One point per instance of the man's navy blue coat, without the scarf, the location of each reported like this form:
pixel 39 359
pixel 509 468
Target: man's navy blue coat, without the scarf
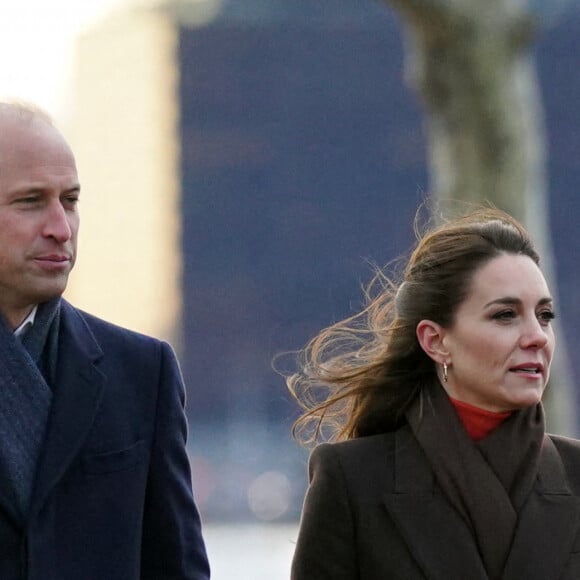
pixel 112 498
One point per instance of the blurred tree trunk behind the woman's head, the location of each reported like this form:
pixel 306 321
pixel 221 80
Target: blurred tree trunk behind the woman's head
pixel 469 61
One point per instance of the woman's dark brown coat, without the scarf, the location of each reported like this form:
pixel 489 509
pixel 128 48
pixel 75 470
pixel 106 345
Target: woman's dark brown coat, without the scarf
pixel 373 511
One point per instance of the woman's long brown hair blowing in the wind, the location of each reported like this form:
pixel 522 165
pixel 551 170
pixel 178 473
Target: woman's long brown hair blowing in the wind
pixel 359 376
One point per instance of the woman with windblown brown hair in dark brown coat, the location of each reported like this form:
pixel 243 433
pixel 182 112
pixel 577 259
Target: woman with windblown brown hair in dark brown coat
pixel 440 468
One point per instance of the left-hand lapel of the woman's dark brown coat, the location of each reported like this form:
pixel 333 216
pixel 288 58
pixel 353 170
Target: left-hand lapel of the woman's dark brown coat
pixel 437 536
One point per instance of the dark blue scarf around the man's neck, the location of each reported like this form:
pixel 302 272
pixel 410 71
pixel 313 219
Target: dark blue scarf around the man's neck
pixel 27 368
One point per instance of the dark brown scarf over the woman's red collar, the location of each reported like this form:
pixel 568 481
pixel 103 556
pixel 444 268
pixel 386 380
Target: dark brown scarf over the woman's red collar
pixel 486 482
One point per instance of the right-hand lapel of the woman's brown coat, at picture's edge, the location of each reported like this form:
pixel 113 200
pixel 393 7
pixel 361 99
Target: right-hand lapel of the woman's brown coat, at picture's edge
pixel 548 523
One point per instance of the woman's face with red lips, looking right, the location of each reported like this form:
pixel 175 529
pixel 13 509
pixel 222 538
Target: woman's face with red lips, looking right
pixel 501 343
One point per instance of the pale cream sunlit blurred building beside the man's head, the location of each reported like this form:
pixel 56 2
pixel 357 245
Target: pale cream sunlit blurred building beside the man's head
pixel 125 133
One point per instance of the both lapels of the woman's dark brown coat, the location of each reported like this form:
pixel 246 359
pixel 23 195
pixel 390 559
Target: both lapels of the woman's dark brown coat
pixel 441 541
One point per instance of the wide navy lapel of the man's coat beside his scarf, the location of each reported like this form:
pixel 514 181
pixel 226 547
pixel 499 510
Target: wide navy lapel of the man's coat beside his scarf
pixel 78 389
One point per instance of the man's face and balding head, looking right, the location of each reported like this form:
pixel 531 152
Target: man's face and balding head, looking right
pixel 39 221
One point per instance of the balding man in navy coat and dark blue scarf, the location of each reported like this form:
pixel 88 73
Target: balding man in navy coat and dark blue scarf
pixel 94 476
